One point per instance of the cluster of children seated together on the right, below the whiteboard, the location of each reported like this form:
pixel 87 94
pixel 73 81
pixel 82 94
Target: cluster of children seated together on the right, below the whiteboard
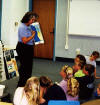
pixel 79 80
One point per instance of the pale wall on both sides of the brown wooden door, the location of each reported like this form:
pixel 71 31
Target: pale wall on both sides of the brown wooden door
pixel 12 12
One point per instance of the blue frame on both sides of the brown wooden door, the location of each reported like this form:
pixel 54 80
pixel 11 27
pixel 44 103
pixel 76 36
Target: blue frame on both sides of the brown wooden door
pixel 30 9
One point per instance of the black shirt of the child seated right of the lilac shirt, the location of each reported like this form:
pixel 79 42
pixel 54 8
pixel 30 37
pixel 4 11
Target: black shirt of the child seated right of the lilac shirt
pixel 86 86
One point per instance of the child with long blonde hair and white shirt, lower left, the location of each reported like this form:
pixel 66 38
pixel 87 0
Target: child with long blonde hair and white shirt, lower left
pixel 29 94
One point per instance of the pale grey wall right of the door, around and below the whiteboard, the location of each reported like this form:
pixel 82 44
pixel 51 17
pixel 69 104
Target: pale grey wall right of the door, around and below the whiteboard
pixel 86 44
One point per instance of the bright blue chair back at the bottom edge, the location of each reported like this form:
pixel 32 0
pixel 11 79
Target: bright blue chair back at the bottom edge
pixel 63 102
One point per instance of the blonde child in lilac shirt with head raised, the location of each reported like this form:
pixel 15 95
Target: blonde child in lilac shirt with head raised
pixel 69 84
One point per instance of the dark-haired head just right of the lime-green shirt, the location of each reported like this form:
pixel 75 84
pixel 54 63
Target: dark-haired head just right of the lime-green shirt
pixel 89 69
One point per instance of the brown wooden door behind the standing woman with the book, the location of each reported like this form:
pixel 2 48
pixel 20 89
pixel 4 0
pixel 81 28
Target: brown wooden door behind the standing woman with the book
pixel 46 11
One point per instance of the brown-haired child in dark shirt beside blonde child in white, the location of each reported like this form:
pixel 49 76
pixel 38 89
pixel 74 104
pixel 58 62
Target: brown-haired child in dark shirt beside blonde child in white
pixel 50 91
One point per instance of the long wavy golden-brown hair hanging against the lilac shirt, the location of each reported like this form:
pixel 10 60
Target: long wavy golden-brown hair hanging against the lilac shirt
pixel 72 87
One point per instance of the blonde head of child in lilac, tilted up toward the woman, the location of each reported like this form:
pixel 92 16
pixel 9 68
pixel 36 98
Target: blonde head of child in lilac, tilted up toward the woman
pixel 66 72
